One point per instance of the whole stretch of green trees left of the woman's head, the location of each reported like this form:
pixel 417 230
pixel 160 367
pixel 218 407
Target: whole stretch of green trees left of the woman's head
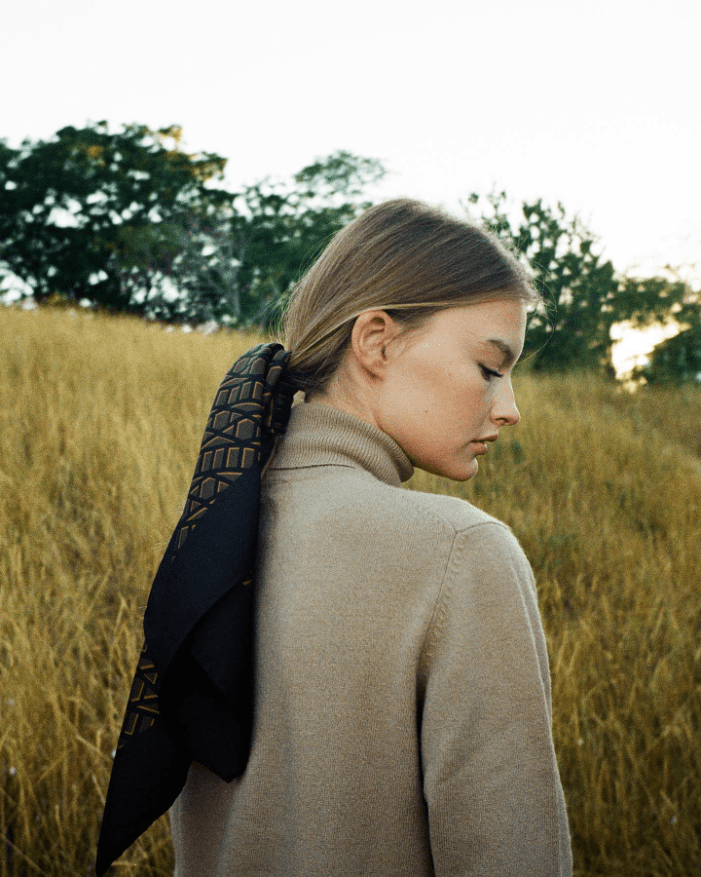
pixel 129 222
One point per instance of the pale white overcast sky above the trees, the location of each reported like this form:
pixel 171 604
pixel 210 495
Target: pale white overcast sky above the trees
pixel 594 104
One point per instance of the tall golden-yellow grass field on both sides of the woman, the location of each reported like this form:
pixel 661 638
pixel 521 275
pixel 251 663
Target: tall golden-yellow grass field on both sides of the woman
pixel 100 423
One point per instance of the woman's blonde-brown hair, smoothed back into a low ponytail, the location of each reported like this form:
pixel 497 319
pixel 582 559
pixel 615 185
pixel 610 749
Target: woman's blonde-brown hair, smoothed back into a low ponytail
pixel 403 257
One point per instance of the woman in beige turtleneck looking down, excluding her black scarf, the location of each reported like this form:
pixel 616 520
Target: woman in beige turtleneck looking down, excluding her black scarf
pixel 401 715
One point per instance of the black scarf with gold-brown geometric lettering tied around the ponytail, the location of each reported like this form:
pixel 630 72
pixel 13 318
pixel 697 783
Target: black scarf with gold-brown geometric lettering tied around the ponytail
pixel 192 694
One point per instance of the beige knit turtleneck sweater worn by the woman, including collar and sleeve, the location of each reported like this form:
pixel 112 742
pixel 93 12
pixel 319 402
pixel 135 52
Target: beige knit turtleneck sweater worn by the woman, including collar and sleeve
pixel 402 714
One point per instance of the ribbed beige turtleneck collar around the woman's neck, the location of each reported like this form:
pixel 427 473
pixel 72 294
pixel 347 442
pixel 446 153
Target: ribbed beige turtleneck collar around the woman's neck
pixel 321 435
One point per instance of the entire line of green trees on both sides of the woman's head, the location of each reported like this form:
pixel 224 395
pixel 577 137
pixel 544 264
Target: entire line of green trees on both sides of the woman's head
pixel 128 221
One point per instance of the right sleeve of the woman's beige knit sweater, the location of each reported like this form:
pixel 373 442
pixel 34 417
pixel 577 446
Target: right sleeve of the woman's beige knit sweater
pixel 491 781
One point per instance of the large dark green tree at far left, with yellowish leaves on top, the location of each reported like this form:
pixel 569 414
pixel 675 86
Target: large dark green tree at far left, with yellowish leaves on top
pixel 99 216
